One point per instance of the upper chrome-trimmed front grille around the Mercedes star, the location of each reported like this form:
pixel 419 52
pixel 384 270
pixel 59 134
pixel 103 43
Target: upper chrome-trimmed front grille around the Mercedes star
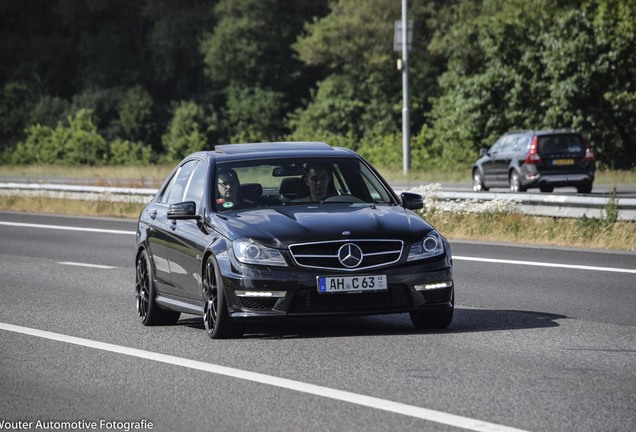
pixel 324 255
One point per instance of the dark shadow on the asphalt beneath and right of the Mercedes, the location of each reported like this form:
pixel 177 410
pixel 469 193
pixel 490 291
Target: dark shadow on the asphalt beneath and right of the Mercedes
pixel 464 321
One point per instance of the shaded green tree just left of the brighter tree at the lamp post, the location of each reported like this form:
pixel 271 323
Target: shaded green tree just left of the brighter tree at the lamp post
pixel 248 57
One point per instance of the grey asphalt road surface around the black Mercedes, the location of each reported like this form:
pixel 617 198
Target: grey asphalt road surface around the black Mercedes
pixel 543 340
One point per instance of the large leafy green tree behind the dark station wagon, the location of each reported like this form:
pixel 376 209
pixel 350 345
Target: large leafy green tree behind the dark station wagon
pixel 519 65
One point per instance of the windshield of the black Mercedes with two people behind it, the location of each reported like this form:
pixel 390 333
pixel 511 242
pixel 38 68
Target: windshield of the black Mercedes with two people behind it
pixel 268 183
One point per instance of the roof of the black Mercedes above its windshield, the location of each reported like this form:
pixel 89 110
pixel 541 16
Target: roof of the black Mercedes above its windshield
pixel 273 150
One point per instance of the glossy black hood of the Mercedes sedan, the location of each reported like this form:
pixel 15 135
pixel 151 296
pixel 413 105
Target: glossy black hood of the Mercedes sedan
pixel 281 226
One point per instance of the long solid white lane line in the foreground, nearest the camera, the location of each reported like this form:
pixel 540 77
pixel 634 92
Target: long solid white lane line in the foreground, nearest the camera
pixel 367 401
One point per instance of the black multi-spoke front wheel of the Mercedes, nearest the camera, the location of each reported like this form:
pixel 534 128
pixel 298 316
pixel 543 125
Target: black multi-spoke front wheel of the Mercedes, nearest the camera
pixel 217 322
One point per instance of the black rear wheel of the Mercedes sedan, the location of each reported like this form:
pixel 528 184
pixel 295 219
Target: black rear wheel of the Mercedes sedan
pixel 148 312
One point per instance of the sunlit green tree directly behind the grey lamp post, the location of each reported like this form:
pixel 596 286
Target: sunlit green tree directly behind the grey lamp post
pixel 361 94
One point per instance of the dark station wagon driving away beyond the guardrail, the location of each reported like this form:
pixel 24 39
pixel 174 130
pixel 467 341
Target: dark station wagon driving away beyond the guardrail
pixel 536 159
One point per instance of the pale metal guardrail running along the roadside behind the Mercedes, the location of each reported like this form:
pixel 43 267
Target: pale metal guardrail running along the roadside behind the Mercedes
pixel 569 206
